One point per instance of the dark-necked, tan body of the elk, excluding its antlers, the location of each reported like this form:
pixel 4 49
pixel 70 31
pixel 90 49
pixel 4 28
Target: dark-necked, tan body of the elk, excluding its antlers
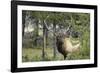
pixel 64 45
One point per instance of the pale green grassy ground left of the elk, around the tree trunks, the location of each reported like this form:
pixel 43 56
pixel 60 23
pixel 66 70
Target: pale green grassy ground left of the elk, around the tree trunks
pixel 36 55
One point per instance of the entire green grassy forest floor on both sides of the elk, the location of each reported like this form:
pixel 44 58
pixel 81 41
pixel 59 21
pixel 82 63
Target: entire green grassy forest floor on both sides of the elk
pixel 35 55
